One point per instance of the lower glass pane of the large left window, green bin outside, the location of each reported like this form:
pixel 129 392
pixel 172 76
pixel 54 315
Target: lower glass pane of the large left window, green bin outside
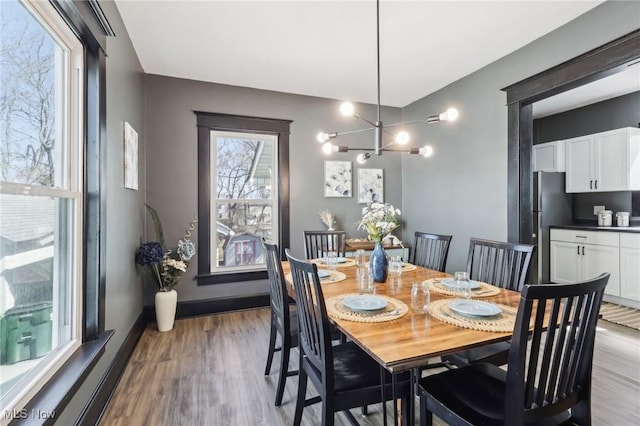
pixel 36 276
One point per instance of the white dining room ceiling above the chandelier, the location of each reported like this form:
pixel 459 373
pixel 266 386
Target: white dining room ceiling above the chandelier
pixel 328 48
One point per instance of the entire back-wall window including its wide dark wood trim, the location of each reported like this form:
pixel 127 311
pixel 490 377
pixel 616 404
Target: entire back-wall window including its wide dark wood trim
pixel 243 194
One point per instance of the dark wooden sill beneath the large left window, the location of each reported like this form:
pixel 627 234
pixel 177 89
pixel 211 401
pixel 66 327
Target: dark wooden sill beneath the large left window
pixel 57 393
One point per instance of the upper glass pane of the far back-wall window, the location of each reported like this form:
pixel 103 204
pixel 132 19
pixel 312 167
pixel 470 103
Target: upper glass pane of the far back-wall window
pixel 244 168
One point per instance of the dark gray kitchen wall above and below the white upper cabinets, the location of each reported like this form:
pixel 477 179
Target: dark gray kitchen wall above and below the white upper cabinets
pixel 615 113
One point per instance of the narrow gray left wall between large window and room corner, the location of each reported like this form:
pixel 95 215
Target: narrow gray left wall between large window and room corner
pixel 125 102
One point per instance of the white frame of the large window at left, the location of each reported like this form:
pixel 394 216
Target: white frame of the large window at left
pixel 68 185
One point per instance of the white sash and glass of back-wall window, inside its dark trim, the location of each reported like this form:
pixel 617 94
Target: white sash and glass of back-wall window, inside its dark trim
pixel 244 199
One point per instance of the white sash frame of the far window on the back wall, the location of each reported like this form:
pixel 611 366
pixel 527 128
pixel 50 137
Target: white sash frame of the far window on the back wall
pixel 274 202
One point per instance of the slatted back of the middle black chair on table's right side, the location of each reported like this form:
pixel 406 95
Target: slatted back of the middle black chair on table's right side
pixel 499 263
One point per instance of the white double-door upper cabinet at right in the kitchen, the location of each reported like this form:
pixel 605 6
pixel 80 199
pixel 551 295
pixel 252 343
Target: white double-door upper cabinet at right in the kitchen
pixel 606 161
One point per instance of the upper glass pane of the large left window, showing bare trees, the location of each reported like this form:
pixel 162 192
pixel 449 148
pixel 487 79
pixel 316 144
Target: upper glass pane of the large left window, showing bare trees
pixel 30 93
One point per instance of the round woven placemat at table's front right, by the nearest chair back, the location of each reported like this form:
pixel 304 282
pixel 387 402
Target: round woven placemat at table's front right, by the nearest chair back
pixel 501 323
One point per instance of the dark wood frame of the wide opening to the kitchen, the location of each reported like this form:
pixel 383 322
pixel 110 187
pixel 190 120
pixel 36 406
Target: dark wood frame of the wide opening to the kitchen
pixel 605 60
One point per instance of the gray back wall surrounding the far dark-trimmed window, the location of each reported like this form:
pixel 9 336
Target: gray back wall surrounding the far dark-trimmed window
pixel 172 161
